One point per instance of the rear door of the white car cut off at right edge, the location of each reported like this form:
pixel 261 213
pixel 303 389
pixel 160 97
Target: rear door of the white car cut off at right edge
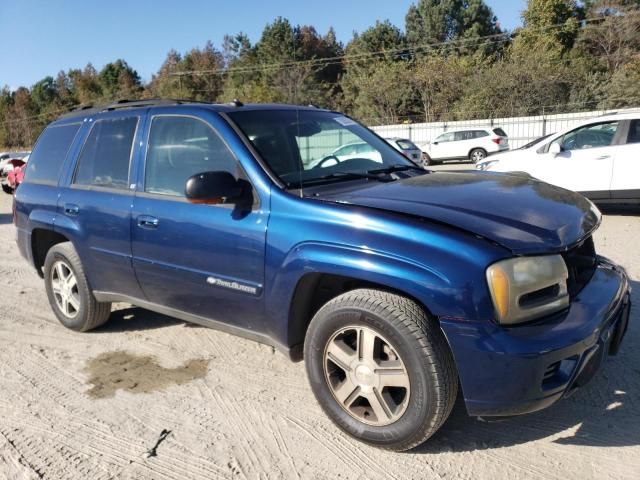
pixel 625 183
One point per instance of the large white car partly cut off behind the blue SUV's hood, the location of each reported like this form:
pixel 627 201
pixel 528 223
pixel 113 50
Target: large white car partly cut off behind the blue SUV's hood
pixel 599 158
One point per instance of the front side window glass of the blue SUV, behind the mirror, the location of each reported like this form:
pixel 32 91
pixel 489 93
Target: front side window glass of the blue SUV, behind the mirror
pixel 180 147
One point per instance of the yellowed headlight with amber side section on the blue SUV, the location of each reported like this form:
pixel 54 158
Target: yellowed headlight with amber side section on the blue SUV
pixel 525 288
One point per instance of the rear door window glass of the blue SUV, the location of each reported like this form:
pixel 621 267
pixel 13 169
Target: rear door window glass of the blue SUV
pixel 104 161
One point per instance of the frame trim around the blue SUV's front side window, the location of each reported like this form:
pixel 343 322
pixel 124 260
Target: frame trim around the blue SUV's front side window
pixel 141 185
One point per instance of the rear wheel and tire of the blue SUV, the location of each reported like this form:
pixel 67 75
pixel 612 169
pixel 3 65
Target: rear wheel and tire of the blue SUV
pixel 68 290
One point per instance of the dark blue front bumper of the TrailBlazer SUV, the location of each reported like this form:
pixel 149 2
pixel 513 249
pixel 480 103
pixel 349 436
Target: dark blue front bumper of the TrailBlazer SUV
pixel 511 371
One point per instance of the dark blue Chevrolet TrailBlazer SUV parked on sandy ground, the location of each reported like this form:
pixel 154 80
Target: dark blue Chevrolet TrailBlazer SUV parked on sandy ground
pixel 400 287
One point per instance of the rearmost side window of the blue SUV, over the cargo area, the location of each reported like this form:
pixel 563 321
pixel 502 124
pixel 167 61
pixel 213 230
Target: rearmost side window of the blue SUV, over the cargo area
pixel 49 154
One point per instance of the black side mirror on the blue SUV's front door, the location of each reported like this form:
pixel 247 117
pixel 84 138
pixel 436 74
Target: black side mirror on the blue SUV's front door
pixel 213 188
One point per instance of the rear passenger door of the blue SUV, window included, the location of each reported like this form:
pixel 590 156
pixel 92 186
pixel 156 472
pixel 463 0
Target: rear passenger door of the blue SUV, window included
pixel 94 207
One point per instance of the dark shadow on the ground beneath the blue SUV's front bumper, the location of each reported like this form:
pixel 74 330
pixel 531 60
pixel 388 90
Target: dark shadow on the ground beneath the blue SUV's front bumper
pixel 604 413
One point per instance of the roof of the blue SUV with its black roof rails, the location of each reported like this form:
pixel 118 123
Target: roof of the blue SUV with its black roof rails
pixel 89 110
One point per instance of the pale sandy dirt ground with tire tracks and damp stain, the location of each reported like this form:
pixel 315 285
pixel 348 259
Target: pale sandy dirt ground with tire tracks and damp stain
pixel 147 396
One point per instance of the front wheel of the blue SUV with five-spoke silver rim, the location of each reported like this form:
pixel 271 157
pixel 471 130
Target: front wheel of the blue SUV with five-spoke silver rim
pixel 380 368
